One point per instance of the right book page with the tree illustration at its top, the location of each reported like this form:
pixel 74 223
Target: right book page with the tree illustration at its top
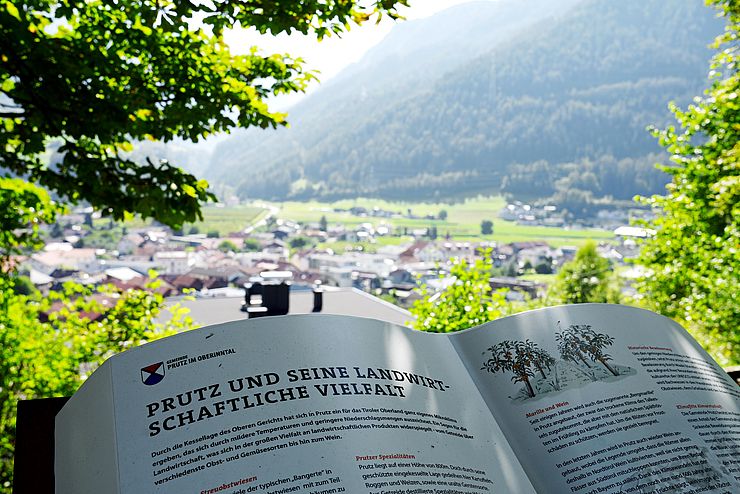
pixel 603 398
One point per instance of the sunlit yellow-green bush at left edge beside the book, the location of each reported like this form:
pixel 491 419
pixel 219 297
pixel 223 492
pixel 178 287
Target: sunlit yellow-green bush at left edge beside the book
pixel 46 359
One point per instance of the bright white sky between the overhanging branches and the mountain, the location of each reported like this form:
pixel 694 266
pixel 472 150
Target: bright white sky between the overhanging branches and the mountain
pixel 332 54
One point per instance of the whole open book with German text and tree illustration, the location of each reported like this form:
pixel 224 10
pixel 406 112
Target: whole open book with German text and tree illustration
pixel 574 399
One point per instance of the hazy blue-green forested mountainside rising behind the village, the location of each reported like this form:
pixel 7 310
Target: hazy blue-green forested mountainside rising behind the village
pixel 484 95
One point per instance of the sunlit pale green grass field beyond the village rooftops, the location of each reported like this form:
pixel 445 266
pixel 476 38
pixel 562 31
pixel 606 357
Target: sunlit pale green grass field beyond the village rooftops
pixel 462 222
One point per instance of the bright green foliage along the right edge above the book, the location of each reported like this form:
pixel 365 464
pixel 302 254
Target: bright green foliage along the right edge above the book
pixel 693 260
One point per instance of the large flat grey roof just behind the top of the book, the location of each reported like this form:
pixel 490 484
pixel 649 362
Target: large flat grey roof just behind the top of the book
pixel 342 301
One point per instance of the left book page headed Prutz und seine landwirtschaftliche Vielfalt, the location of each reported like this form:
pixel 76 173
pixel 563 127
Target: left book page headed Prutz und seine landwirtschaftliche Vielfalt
pixel 312 404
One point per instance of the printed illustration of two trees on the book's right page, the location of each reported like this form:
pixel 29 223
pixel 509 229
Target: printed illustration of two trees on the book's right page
pixel 583 360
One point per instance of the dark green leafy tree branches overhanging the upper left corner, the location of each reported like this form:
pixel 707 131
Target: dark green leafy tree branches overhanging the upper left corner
pixel 86 79
